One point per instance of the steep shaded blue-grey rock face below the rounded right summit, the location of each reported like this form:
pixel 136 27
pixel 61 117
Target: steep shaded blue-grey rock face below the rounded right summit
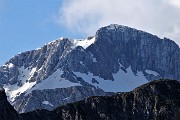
pixel 138 49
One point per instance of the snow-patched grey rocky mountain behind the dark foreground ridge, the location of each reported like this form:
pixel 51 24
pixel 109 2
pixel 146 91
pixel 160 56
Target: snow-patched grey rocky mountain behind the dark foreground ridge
pixel 116 59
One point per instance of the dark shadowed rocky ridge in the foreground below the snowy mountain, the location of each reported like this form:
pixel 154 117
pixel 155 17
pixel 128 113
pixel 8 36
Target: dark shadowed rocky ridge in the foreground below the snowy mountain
pixel 157 100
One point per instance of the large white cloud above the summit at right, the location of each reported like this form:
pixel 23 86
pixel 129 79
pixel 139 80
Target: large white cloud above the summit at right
pixel 160 17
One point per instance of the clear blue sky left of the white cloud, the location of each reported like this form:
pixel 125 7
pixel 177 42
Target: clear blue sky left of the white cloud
pixel 28 24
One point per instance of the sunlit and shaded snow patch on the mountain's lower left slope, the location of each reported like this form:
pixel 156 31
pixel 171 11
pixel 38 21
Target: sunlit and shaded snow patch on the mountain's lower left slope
pixel 25 86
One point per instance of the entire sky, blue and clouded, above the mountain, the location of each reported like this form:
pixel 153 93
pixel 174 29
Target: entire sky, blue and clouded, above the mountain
pixel 29 24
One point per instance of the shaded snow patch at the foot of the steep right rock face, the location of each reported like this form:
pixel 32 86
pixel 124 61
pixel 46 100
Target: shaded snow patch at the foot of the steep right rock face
pixel 123 82
